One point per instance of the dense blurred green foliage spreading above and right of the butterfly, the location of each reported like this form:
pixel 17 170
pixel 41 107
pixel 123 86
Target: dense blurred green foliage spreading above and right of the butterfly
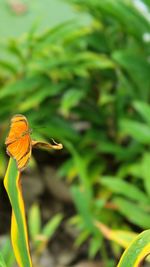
pixel 89 88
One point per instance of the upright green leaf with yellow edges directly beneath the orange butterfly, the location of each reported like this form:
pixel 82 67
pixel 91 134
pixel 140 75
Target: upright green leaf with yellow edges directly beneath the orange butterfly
pixel 19 234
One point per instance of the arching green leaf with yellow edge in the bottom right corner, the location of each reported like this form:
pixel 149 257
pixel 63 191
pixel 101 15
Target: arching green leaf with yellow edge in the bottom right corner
pixel 137 251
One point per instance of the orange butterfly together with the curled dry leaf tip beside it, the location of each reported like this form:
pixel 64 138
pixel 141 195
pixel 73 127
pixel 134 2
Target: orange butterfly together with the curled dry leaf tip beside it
pixel 19 143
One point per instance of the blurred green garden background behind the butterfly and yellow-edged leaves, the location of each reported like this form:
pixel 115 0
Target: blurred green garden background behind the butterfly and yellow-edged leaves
pixel 79 70
